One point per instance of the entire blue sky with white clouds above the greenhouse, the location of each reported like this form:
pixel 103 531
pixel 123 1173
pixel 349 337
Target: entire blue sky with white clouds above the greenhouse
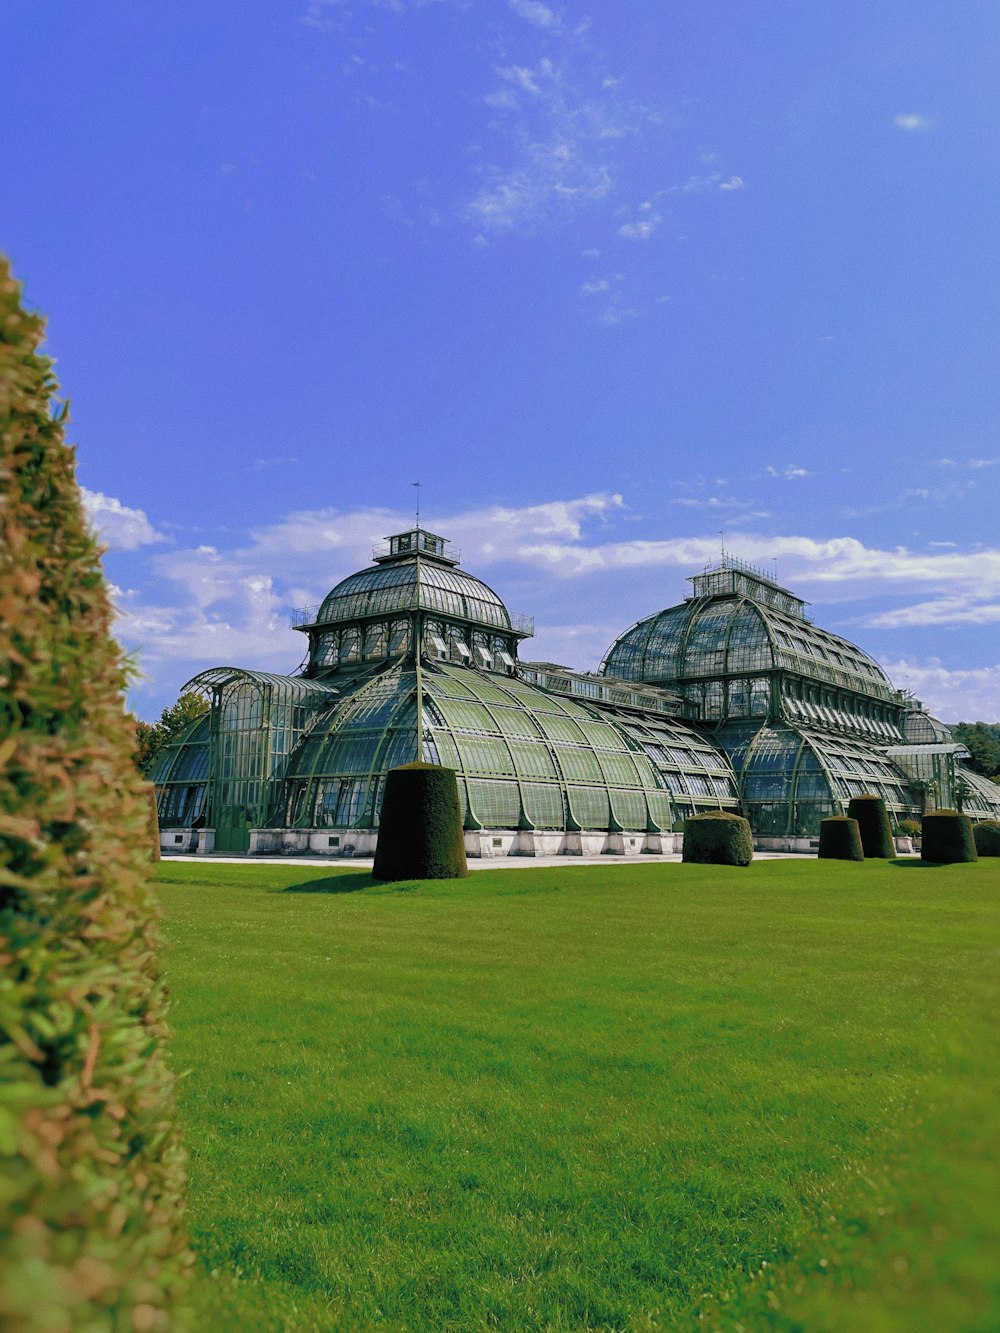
pixel 609 278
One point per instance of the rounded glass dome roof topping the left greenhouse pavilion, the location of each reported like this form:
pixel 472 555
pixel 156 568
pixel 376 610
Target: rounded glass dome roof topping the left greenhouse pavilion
pixel 394 587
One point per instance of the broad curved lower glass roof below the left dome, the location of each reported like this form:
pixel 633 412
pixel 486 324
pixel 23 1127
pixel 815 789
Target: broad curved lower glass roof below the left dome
pixel 525 758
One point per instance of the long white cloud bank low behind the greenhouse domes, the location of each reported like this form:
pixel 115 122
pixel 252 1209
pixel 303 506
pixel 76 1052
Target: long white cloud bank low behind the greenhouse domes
pixel 559 561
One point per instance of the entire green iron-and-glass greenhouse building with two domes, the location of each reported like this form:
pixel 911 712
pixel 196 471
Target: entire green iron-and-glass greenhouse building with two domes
pixel 730 700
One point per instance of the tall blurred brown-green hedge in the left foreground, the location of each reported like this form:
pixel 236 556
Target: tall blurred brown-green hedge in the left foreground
pixel 91 1168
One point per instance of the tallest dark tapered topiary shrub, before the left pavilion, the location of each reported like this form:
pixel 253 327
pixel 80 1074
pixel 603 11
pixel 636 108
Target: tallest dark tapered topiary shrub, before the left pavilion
pixel 421 827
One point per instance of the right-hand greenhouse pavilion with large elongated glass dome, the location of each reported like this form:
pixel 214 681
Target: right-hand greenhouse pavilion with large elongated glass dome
pixel 807 719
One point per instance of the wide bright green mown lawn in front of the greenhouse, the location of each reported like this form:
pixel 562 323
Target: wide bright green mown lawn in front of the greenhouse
pixel 627 1096
